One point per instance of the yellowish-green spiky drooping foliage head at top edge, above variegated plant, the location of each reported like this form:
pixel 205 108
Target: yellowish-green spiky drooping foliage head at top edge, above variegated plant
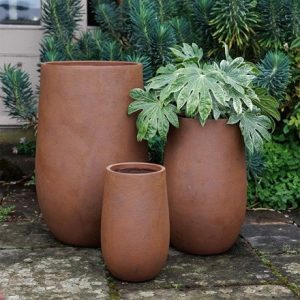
pixel 234 21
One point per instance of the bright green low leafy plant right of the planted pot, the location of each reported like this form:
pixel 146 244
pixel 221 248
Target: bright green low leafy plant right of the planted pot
pixel 279 184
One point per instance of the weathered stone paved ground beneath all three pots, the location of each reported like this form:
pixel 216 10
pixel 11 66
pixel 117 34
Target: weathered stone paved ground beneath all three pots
pixel 264 263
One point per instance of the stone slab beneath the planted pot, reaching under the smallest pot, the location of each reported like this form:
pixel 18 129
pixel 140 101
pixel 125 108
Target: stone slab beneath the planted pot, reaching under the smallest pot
pixel 191 271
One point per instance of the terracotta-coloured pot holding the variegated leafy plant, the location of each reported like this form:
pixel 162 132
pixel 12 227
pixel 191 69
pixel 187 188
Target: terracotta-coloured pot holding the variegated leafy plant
pixel 207 185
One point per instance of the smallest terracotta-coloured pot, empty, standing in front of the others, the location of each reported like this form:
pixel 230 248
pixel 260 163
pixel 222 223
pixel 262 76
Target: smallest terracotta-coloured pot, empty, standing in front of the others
pixel 135 228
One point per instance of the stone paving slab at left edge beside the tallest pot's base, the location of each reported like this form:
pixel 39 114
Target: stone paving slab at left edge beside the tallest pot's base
pixel 26 235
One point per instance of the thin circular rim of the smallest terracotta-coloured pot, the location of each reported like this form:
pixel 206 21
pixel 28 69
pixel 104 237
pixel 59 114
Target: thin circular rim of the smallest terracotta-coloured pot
pixel 118 167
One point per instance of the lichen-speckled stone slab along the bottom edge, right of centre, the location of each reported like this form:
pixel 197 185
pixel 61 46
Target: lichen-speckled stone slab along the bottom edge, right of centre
pixel 263 292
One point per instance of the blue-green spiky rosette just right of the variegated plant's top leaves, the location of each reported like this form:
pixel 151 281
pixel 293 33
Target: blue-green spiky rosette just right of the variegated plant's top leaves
pixel 274 74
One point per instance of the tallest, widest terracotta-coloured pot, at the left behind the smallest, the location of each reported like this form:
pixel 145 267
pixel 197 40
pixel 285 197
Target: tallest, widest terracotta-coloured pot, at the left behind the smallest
pixel 83 127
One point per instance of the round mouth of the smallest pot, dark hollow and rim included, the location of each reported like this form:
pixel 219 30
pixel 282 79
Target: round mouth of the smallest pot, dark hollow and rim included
pixel 135 168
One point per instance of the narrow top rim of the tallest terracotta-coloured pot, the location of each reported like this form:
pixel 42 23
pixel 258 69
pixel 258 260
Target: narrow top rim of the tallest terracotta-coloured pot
pixel 92 64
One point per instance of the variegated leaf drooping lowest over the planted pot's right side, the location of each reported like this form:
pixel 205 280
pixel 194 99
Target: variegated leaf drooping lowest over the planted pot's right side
pixel 254 128
